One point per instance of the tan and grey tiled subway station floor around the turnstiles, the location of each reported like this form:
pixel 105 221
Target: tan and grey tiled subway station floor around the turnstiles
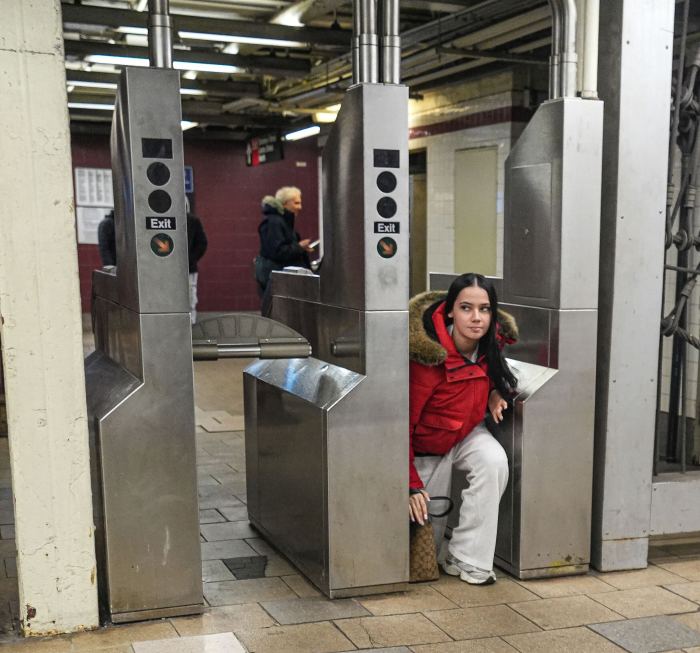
pixel 656 609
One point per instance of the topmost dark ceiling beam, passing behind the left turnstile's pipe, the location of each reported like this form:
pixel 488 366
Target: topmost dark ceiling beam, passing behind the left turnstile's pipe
pixel 89 15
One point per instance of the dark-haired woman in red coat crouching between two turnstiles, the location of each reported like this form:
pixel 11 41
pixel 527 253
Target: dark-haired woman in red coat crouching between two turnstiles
pixel 457 372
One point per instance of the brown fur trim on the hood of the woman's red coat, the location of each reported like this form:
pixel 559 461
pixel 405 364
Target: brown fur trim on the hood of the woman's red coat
pixel 423 349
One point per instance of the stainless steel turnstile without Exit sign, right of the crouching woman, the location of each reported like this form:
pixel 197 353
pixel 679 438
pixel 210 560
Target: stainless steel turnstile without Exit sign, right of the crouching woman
pixel 550 285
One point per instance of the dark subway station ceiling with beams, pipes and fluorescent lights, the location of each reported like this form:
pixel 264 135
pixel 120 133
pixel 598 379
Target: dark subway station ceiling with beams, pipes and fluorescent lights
pixel 255 66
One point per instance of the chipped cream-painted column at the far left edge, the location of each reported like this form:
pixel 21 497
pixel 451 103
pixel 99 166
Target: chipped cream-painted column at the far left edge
pixel 41 329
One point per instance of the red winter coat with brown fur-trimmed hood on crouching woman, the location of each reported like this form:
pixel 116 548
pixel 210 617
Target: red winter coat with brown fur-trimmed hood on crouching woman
pixel 448 393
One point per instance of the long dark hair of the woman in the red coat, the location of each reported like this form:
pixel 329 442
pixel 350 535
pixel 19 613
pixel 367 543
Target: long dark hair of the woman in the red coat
pixel 499 372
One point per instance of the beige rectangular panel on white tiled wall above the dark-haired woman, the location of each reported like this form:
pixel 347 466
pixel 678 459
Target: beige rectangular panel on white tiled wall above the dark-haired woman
pixel 475 210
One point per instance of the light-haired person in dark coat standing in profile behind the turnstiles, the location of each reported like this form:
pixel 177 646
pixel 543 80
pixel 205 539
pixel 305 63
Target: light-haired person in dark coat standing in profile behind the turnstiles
pixel 280 245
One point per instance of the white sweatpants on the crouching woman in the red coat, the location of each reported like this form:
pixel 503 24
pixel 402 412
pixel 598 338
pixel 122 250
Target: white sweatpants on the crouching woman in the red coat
pixel 486 466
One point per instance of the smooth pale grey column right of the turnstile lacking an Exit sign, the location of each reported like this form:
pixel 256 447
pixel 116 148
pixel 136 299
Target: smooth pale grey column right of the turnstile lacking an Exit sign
pixel 636 46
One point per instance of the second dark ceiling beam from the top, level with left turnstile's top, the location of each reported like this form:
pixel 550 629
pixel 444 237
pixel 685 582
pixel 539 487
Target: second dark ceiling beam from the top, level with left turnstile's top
pixel 280 66
